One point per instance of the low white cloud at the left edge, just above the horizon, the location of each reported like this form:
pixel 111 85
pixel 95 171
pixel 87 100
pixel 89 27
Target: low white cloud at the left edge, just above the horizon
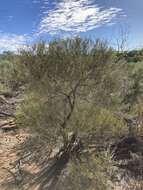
pixel 12 42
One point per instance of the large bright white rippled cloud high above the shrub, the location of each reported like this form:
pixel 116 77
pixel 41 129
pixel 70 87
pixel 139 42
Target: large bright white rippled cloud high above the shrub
pixel 75 16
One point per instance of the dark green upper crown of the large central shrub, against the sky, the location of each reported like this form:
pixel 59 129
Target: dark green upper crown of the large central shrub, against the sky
pixel 66 59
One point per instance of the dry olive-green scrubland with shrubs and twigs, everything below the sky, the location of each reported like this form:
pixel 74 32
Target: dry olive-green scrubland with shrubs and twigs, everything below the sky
pixel 81 104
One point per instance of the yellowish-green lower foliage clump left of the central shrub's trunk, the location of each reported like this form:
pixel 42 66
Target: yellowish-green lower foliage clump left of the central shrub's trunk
pixel 34 114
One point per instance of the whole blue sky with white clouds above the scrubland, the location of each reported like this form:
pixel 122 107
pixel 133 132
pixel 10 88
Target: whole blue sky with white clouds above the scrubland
pixel 24 22
